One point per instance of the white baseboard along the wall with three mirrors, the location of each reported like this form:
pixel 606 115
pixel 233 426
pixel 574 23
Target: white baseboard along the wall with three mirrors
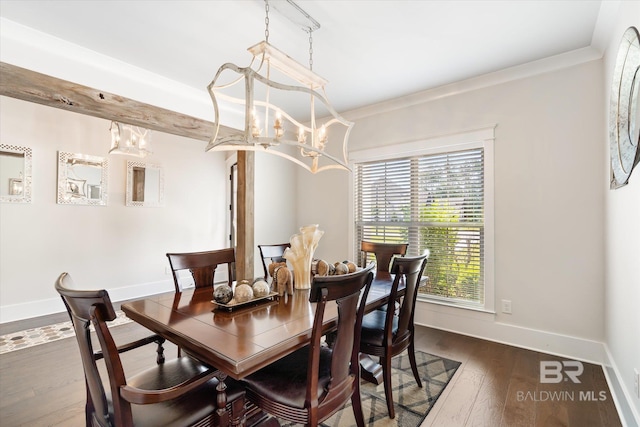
pixel 28 310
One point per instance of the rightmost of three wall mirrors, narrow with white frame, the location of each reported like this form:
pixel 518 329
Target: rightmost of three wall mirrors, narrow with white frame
pixel 145 185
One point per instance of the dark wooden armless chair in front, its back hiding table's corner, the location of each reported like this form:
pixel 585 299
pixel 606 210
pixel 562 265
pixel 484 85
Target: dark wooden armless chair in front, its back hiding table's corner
pixel 314 382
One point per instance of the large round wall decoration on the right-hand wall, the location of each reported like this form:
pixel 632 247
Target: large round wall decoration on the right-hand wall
pixel 624 112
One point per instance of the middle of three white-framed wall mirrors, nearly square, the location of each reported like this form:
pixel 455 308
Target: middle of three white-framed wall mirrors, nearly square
pixel 82 179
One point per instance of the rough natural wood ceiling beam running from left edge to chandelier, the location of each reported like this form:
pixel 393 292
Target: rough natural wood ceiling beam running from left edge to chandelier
pixel 28 85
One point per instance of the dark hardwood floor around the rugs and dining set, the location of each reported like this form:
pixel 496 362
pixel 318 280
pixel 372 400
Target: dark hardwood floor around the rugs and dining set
pixel 496 385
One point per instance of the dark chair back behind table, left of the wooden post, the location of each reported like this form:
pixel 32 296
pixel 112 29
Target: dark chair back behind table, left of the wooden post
pixel 202 266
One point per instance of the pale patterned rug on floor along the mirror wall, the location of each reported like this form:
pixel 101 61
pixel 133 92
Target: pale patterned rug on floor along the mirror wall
pixel 35 336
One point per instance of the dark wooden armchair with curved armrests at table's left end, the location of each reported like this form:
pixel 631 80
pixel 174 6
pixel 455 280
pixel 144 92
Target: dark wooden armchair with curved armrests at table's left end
pixel 178 392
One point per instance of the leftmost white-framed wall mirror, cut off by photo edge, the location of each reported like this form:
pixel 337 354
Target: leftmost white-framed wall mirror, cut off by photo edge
pixel 15 174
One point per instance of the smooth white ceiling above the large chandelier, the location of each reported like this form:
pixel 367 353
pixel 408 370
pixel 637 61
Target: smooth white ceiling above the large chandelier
pixel 369 51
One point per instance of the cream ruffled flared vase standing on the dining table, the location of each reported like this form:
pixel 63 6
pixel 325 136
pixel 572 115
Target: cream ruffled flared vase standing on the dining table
pixel 300 254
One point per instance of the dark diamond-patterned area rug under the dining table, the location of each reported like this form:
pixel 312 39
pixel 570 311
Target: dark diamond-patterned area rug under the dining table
pixel 412 404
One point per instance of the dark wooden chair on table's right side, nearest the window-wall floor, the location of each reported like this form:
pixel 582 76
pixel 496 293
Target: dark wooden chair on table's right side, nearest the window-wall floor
pixel 387 333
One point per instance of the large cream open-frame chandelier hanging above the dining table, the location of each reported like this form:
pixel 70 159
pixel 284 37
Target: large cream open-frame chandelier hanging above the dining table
pixel 284 107
